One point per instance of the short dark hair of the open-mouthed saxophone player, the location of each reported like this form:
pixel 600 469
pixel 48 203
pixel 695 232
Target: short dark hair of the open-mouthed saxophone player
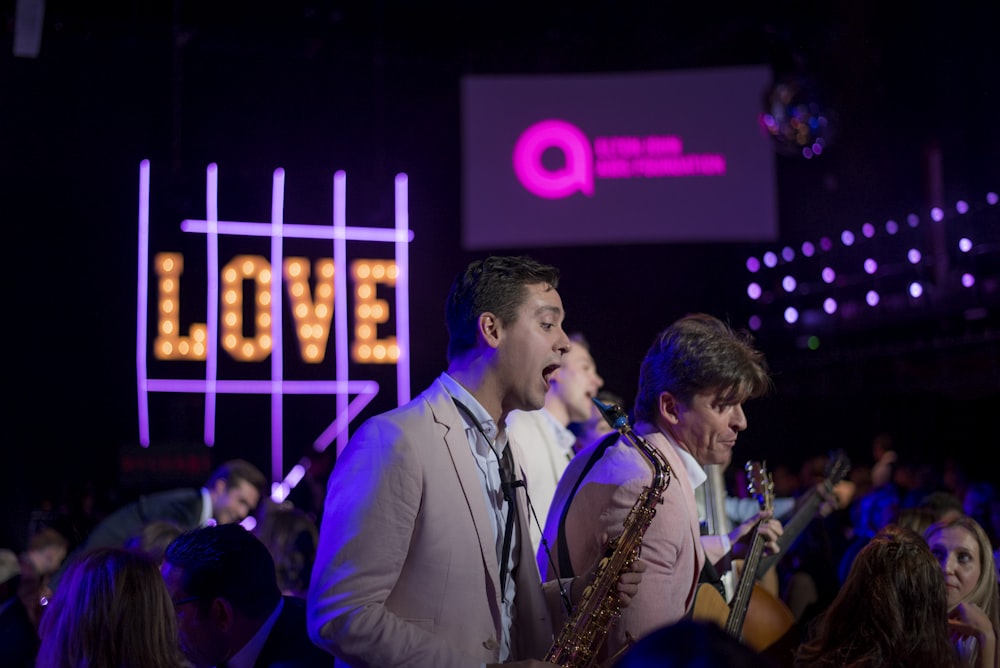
pixel 495 285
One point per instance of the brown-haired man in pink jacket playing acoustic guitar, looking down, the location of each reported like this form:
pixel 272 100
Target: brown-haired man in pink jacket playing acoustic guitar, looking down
pixel 689 406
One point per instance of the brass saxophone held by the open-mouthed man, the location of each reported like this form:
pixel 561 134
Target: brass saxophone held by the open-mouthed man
pixel 584 634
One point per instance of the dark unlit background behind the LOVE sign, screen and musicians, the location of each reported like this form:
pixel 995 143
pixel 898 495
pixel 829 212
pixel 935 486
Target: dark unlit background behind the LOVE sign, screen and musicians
pixel 373 89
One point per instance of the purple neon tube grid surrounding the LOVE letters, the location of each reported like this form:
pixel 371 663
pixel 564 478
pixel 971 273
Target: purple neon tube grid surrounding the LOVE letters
pixel 343 387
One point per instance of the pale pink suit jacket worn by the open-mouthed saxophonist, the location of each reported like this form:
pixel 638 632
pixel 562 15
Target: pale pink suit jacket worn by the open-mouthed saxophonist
pixel 406 573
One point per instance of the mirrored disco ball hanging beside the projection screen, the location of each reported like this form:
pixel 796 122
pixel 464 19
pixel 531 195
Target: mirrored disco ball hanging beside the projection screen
pixel 797 119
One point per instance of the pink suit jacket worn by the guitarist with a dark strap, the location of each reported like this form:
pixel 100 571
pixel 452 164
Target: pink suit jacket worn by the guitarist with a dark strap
pixel 672 547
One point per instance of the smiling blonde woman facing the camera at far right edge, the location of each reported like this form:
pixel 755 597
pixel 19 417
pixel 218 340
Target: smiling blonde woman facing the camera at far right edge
pixel 963 550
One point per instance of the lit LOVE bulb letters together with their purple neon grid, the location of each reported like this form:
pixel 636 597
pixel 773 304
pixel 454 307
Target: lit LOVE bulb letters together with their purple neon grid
pixel 312 311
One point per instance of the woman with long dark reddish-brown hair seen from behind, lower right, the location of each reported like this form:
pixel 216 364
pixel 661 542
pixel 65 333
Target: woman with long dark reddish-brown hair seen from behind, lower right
pixel 891 611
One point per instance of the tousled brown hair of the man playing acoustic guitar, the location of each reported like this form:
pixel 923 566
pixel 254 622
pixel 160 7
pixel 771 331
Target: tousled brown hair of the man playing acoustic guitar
pixel 699 353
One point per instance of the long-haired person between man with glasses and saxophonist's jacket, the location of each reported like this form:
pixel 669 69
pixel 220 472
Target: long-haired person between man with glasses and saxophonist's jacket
pixel 291 537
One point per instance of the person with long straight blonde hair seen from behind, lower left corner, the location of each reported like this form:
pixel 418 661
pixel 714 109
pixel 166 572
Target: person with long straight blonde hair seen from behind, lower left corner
pixel 111 610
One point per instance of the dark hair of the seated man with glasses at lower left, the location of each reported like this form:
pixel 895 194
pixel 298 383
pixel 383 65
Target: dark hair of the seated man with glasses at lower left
pixel 226 561
